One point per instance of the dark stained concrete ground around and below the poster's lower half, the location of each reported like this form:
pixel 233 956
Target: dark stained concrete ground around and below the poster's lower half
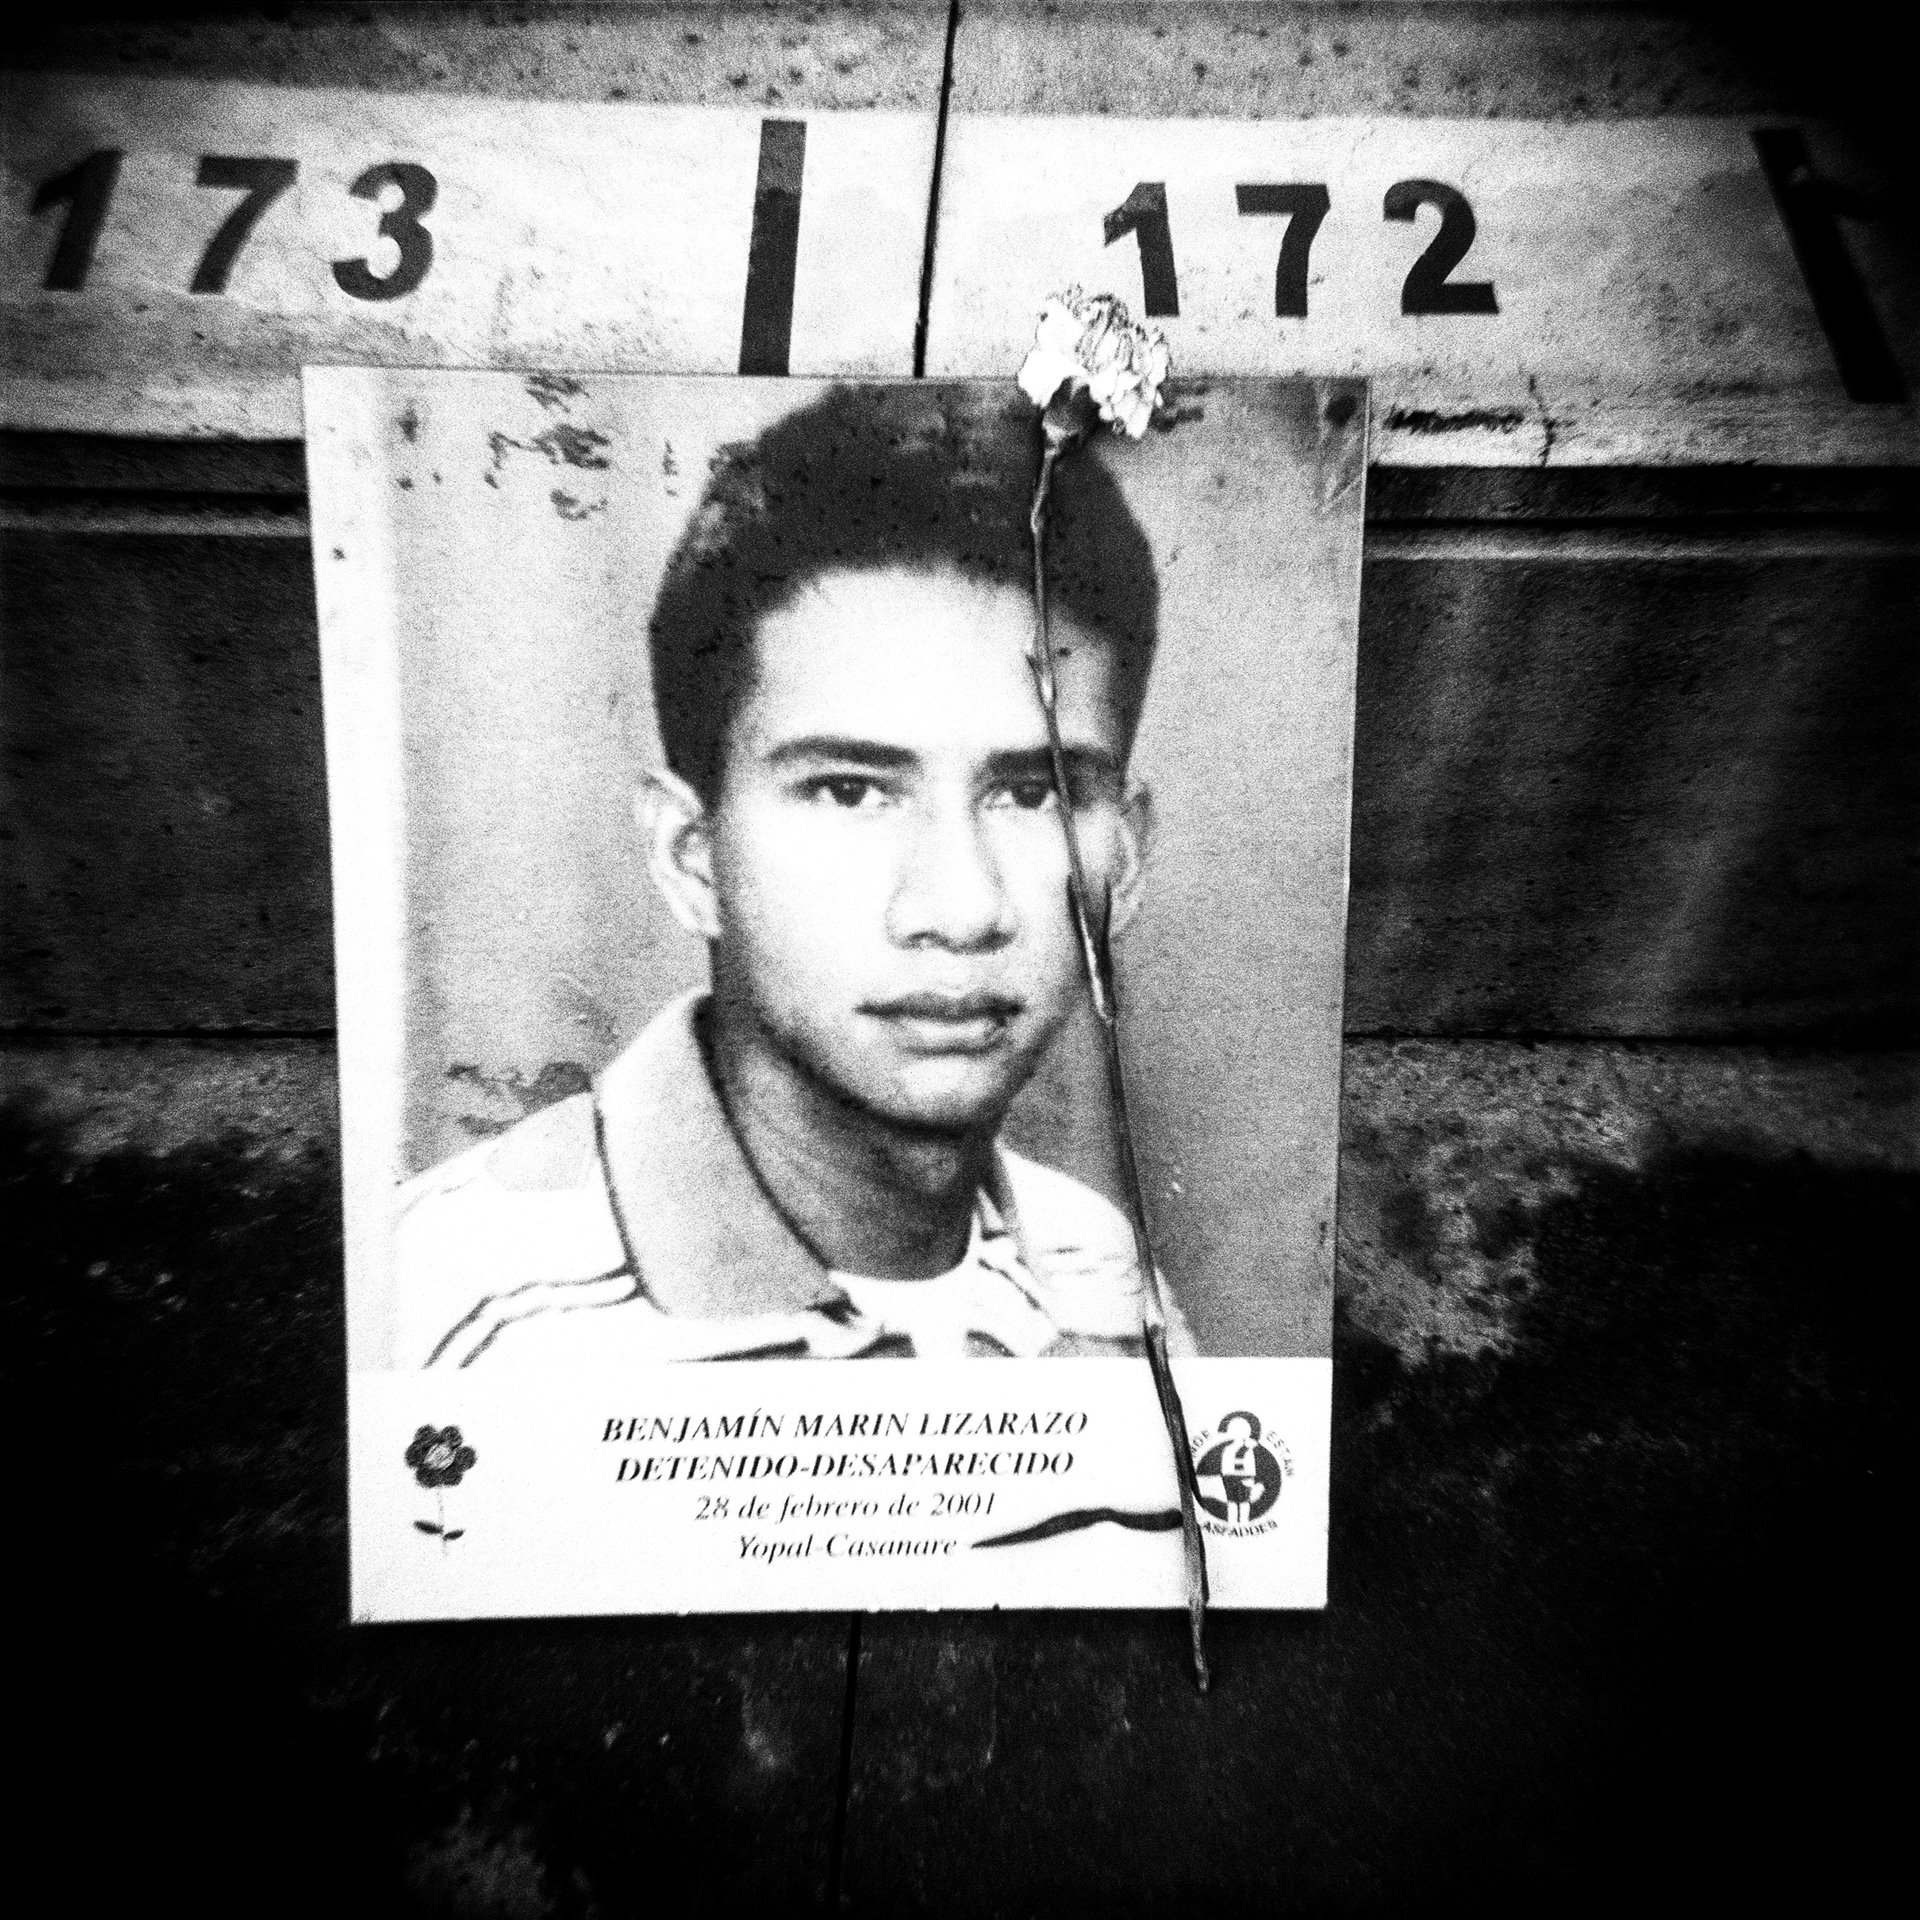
pixel 1614 1577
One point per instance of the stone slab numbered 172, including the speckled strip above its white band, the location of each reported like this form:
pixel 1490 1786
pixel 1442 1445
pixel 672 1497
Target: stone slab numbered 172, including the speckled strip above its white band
pixel 1641 300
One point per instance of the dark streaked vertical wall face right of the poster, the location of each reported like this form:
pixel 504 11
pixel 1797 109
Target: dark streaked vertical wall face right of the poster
pixel 1637 798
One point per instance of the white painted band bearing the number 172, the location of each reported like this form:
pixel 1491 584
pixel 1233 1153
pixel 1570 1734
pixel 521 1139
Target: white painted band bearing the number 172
pixel 1650 308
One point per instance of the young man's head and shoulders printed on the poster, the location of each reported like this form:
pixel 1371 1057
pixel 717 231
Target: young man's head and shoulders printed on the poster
pixel 855 815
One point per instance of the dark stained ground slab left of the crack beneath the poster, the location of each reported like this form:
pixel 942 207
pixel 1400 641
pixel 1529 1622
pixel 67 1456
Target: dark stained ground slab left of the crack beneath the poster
pixel 174 1289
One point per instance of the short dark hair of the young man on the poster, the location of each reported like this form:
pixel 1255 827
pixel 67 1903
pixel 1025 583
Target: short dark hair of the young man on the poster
pixel 875 477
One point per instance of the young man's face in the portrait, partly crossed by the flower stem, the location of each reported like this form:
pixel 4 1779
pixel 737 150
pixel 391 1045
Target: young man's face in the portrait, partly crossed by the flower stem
pixel 890 875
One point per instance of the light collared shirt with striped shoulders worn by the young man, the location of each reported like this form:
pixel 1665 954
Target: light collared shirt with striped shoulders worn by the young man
pixel 625 1224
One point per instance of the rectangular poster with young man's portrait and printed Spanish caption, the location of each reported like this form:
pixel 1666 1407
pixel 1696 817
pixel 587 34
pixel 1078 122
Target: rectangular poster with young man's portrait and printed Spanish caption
pixel 734 1205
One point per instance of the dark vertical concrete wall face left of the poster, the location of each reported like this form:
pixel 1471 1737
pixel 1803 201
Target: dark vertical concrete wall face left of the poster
pixel 166 784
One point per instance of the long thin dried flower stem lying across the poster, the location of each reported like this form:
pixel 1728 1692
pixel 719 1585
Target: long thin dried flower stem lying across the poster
pixel 1099 957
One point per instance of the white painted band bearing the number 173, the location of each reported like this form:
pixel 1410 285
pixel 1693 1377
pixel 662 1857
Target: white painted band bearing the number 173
pixel 573 235
